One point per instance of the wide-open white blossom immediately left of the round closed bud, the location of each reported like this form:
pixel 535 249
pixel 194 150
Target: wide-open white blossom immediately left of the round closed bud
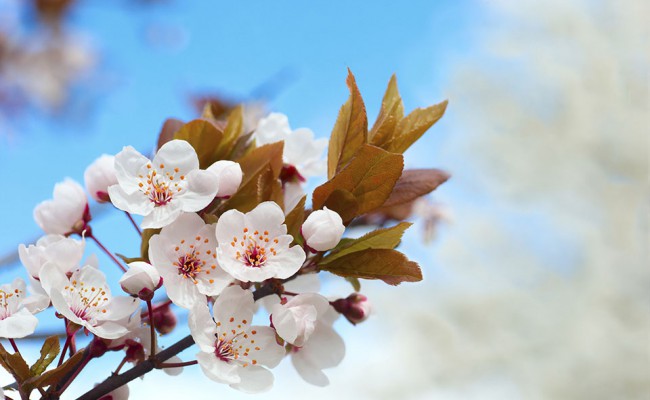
pixel 255 246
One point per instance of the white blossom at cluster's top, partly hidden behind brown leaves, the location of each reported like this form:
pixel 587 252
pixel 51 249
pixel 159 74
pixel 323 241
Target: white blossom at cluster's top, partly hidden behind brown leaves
pixel 301 150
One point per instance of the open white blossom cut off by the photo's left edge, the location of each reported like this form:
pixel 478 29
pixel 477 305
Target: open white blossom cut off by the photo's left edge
pixel 16 320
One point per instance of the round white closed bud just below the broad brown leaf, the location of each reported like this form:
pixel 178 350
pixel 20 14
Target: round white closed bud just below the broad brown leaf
pixel 323 229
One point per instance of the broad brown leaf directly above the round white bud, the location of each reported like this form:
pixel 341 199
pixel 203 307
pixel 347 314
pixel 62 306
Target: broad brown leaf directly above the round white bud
pixel 369 178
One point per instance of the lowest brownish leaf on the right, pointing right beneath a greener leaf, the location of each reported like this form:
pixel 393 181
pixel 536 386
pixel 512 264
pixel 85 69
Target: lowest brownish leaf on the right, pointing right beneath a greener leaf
pixel 390 266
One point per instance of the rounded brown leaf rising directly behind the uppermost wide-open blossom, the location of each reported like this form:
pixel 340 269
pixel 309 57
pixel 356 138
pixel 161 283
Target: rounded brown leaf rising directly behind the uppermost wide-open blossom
pixel 204 138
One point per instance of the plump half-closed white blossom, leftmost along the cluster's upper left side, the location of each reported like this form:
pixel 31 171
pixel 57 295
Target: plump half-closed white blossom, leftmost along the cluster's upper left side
pixel 67 212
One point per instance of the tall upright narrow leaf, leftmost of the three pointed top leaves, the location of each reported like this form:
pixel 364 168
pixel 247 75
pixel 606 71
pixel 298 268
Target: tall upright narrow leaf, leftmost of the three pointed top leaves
pixel 350 131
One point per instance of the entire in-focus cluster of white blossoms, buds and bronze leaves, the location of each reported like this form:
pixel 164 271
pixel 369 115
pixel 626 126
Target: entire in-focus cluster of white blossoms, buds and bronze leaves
pixel 223 225
